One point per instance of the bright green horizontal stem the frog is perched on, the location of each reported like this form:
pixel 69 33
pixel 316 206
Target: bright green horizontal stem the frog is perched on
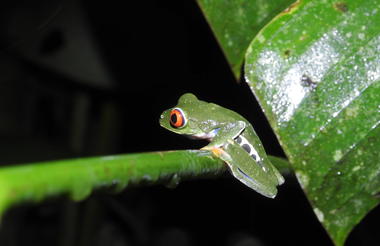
pixel 77 178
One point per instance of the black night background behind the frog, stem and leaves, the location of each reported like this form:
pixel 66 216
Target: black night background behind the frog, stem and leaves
pixel 85 78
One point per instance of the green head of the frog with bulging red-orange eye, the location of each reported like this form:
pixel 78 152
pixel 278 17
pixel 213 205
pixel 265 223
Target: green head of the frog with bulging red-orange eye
pixel 182 119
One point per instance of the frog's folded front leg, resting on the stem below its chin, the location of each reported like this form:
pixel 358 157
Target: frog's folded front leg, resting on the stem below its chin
pixel 226 133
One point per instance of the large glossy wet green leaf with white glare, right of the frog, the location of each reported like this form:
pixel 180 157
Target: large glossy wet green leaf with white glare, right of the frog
pixel 315 70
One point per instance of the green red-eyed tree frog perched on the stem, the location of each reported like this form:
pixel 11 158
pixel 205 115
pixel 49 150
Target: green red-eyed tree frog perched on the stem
pixel 231 137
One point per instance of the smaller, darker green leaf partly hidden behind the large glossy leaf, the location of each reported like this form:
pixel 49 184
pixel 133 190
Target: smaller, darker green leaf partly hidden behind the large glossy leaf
pixel 236 22
